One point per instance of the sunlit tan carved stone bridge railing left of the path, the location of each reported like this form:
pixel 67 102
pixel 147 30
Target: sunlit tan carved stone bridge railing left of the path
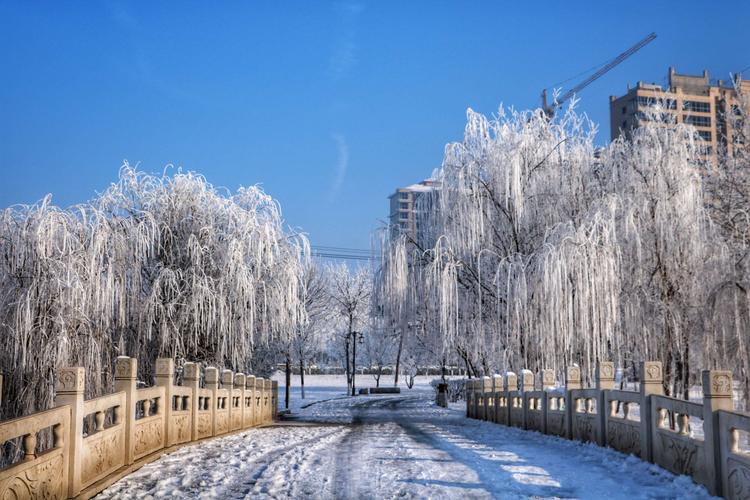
pixel 96 442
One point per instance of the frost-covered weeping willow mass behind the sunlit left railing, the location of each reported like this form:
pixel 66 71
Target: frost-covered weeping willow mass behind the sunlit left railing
pixel 153 266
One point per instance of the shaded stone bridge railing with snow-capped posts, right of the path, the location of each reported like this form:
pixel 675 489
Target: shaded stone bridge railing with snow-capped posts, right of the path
pixel 701 440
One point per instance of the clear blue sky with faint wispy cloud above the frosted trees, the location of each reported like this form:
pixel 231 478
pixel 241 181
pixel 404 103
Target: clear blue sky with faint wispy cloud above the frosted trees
pixel 329 106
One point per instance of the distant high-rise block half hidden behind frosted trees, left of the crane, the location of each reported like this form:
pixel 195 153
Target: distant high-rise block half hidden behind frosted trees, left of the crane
pixel 408 206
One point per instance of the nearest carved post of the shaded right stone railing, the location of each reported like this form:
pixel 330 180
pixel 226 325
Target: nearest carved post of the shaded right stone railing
pixel 717 395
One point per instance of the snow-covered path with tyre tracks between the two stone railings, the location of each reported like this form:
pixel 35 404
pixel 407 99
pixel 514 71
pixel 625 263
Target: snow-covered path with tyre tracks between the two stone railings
pixel 397 446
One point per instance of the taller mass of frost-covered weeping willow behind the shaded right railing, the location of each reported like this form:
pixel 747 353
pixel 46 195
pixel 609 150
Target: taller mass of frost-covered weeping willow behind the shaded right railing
pixel 547 252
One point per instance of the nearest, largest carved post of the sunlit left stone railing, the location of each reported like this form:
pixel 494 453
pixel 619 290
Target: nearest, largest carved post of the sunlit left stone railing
pixel 69 389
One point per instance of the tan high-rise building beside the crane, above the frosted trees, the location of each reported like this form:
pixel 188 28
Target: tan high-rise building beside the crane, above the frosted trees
pixel 687 99
